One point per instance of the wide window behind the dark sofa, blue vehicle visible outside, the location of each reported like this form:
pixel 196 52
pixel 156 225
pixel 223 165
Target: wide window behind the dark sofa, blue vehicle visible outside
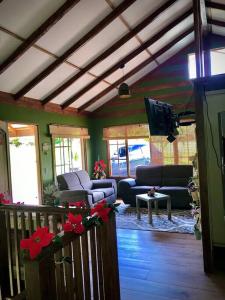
pixel 134 147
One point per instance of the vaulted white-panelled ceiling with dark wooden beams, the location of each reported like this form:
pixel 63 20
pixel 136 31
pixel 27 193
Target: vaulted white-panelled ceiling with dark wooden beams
pixel 70 52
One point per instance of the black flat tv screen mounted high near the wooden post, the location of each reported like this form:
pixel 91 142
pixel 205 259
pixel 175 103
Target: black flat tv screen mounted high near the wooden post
pixel 161 118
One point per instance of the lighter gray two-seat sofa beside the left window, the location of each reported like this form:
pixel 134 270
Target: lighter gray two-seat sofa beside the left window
pixel 76 186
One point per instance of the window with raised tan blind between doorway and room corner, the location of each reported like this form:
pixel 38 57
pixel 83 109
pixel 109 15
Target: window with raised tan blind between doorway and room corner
pixel 69 148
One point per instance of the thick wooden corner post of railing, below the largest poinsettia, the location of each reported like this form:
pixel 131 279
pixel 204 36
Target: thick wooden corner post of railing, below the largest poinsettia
pixel 40 279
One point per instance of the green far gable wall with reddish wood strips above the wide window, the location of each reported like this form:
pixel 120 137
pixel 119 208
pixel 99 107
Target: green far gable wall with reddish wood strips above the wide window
pixel 168 83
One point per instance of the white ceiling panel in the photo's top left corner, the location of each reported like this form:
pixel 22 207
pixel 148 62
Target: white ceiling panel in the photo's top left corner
pixel 25 16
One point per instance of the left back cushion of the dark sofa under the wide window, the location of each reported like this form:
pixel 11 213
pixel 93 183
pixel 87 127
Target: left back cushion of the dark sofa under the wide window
pixel 149 175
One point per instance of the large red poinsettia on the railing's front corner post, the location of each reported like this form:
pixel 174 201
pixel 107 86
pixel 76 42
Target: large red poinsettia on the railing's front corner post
pixel 39 239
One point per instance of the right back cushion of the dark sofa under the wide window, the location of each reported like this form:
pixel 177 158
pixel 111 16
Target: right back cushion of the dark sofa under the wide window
pixel 176 175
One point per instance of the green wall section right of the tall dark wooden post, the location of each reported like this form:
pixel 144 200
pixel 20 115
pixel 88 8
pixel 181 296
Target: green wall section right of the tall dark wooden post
pixel 216 103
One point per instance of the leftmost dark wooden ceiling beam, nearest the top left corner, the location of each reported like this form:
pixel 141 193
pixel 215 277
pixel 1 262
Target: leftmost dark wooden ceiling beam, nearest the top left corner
pixel 37 34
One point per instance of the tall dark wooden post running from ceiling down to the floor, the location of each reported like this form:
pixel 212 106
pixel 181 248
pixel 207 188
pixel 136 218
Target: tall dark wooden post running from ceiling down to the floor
pixel 201 140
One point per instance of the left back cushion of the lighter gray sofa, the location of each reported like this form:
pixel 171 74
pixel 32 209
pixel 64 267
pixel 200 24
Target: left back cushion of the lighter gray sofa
pixel 69 181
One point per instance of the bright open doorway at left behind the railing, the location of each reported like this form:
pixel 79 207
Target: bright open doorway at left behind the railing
pixel 24 163
